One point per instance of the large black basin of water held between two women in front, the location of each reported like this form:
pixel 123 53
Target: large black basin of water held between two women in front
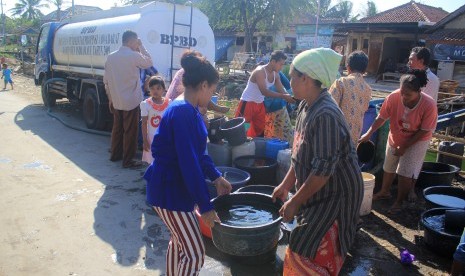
pixel 255 240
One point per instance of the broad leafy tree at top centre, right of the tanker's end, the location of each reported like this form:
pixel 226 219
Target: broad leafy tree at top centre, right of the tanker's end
pixel 252 15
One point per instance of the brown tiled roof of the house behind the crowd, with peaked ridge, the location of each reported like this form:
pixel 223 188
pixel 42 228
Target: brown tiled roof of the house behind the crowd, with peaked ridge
pixel 409 12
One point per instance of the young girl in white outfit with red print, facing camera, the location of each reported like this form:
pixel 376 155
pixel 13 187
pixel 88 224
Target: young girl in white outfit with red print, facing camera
pixel 151 111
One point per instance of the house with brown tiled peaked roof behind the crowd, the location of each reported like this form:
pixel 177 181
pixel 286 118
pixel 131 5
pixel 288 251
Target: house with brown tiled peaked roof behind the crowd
pixel 388 37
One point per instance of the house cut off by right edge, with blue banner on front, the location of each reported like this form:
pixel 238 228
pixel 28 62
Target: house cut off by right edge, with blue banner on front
pixel 447 41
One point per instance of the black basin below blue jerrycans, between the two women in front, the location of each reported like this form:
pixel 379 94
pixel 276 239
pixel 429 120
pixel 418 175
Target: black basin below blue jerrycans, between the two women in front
pixel 262 169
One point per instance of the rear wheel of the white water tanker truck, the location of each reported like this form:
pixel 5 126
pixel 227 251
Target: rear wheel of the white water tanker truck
pixel 93 112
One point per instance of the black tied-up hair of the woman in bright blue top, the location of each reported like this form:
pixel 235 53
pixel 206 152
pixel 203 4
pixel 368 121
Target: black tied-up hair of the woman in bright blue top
pixel 197 69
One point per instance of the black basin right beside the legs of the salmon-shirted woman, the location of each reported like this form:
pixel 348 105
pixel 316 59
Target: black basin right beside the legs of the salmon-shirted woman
pixel 436 174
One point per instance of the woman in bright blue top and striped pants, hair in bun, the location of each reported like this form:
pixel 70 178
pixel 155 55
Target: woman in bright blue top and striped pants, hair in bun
pixel 176 177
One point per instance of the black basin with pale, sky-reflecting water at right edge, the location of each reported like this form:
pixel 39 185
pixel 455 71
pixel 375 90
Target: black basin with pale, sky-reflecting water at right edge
pixel 445 196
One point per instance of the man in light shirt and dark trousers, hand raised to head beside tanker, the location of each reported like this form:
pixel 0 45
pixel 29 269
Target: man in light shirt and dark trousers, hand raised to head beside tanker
pixel 122 80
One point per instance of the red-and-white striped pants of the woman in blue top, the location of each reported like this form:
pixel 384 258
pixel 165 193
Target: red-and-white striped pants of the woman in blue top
pixel 186 250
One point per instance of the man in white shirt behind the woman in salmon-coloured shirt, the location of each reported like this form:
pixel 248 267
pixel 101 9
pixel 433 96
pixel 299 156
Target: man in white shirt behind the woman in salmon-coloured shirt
pixel 419 59
